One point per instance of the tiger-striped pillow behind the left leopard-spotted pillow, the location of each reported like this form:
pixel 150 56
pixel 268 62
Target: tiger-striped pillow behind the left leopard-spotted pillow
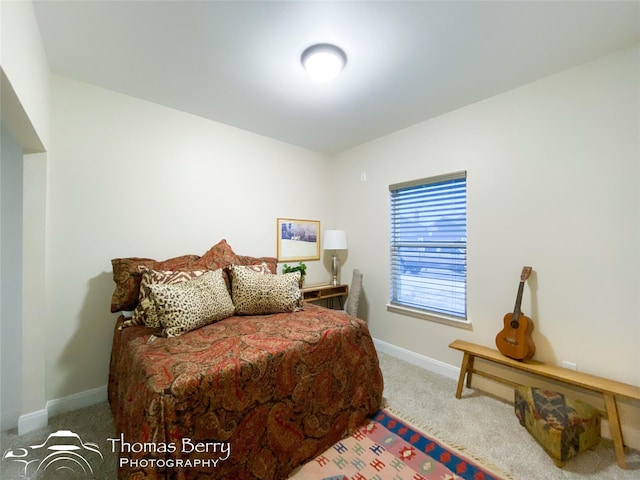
pixel 145 312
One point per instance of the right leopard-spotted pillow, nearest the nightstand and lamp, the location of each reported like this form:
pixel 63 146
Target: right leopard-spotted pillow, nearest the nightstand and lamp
pixel 258 294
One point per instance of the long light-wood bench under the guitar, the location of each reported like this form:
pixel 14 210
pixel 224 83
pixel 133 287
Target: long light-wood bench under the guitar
pixel 608 388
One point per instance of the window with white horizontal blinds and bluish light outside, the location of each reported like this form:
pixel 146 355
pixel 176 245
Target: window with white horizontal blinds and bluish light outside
pixel 429 247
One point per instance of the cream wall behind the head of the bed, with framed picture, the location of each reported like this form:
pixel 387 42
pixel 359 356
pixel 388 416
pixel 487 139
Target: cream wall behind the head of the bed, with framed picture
pixel 131 178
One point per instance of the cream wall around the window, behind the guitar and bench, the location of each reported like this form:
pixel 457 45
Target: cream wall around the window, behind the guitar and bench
pixel 553 182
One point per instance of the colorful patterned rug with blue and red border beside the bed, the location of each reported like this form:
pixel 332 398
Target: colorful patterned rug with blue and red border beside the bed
pixel 391 448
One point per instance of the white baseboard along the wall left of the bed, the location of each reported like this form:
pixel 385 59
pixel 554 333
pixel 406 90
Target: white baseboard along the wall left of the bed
pixel 35 420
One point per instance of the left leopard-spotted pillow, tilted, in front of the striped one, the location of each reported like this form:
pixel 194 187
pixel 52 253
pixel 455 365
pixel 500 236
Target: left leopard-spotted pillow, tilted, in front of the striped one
pixel 185 306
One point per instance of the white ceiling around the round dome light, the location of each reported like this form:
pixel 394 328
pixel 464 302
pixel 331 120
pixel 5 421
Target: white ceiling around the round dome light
pixel 238 62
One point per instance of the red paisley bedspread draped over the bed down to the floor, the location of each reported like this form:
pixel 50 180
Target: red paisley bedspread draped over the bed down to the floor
pixel 245 398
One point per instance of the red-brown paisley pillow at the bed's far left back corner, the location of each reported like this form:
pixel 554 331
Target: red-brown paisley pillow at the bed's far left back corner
pixel 127 277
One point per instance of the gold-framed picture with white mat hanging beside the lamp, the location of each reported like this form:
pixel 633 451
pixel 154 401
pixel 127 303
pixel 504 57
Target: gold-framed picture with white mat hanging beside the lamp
pixel 298 239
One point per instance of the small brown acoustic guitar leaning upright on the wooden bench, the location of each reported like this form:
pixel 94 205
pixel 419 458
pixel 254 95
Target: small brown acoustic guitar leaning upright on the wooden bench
pixel 514 340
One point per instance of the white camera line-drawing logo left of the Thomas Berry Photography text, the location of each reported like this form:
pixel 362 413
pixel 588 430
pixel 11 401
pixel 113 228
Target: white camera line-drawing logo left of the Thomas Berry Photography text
pixel 63 452
